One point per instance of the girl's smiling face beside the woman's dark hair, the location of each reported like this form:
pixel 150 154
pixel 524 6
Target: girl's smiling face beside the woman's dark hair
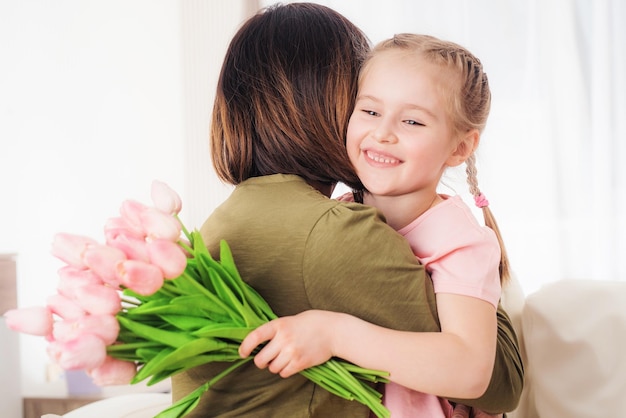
pixel 399 137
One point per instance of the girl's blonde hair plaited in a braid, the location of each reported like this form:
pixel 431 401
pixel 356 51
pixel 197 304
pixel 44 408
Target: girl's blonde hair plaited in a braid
pixel 468 101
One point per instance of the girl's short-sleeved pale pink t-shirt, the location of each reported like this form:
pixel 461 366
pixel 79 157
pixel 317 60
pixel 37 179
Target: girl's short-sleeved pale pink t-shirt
pixel 463 258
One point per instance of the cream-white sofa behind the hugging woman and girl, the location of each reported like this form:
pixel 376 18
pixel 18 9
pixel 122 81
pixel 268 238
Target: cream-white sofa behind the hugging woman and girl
pixel 572 335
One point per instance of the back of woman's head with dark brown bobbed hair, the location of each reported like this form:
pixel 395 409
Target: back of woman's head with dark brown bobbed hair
pixel 285 93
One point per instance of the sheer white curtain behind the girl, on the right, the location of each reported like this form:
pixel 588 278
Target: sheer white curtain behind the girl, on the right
pixel 551 157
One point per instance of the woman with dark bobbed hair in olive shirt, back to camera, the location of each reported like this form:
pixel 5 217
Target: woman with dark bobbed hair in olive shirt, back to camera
pixel 284 96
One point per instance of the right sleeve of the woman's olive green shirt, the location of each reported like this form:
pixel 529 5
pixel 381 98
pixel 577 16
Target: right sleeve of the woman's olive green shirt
pixel 379 279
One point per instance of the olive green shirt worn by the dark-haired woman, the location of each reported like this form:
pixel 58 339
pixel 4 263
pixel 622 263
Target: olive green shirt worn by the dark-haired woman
pixel 300 251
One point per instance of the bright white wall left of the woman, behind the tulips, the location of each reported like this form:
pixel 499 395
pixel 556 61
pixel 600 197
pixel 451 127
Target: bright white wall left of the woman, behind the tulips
pixel 97 99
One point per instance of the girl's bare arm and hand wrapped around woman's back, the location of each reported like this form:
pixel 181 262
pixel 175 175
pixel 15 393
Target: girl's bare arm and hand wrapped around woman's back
pixel 456 362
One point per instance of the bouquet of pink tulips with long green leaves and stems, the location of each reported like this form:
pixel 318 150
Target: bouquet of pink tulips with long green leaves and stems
pixel 151 302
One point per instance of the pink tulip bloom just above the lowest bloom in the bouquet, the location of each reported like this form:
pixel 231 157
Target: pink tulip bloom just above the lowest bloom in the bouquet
pixel 86 352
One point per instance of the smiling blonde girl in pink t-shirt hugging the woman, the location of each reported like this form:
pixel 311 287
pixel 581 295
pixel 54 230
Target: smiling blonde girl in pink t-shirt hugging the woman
pixel 421 107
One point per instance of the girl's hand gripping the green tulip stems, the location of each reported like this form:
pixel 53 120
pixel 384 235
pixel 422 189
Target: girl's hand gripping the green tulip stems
pixel 295 342
